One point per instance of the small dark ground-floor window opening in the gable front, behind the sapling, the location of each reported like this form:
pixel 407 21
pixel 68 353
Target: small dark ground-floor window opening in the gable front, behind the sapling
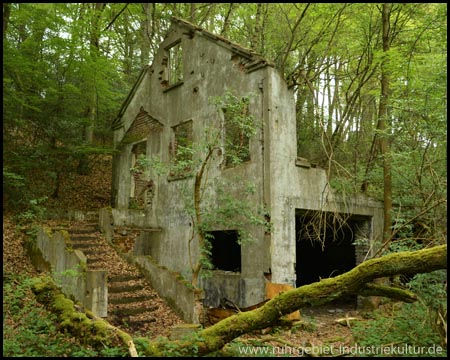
pixel 225 250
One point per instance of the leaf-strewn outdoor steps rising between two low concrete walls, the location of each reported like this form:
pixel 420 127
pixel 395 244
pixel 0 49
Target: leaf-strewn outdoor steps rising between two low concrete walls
pixel 133 305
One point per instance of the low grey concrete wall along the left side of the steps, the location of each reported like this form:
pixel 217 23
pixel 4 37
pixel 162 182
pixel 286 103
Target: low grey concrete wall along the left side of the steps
pixel 69 270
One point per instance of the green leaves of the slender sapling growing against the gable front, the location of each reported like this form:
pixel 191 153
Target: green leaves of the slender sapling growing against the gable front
pixel 221 208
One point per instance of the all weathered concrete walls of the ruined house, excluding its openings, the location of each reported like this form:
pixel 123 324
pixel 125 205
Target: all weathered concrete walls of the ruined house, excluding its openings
pixel 211 68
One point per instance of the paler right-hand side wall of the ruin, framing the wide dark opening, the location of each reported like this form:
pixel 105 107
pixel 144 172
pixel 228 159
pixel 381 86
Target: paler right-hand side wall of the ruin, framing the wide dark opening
pixel 292 186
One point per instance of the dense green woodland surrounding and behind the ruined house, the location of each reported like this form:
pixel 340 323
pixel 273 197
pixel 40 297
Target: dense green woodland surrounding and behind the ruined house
pixel 370 85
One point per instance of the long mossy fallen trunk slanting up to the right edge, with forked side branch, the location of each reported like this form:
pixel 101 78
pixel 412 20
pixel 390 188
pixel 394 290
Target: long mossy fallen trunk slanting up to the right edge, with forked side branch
pixel 356 281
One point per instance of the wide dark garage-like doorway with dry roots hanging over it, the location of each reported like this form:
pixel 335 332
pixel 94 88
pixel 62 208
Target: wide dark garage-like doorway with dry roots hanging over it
pixel 324 246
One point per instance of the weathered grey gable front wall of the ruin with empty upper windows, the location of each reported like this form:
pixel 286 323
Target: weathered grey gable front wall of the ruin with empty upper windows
pixel 204 65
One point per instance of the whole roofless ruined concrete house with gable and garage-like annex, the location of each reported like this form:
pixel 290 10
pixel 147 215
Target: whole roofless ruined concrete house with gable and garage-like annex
pixel 170 104
